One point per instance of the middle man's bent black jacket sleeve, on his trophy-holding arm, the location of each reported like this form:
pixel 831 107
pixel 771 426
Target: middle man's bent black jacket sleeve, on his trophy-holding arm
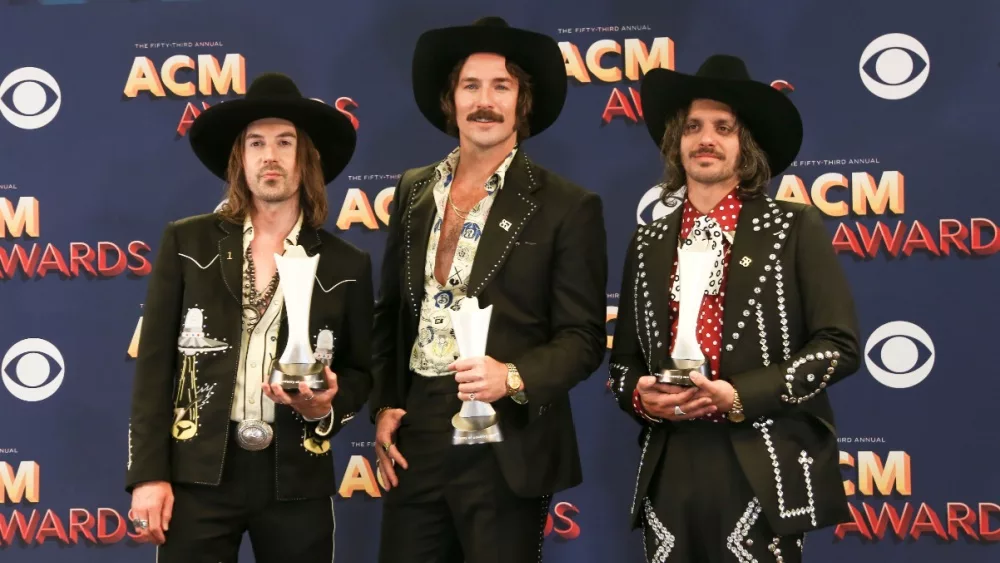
pixel 578 307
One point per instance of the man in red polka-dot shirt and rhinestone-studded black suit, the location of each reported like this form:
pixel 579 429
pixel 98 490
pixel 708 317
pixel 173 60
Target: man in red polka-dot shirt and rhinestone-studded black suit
pixel 741 460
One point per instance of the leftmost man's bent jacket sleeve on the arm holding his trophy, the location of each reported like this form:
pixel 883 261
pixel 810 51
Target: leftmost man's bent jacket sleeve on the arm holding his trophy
pixel 353 362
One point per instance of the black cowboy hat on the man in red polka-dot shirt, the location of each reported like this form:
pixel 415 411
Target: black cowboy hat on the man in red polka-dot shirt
pixel 771 117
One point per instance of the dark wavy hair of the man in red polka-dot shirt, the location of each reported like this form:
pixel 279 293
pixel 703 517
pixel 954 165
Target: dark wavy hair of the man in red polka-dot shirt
pixel 751 166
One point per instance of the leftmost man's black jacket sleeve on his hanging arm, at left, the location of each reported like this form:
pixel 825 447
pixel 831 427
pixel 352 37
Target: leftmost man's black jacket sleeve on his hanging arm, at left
pixel 152 389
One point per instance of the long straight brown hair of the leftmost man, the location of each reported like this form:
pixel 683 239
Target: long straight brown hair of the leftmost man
pixel 312 189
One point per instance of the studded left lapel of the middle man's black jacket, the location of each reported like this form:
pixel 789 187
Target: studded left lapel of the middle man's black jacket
pixel 420 213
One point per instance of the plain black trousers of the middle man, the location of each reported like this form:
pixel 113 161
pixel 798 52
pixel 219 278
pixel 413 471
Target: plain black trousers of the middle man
pixel 453 504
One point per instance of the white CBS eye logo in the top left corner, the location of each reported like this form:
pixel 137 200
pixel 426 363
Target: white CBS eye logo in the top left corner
pixel 29 98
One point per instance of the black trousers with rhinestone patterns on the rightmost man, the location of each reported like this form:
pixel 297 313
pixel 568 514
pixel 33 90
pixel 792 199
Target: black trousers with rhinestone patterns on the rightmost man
pixel 701 509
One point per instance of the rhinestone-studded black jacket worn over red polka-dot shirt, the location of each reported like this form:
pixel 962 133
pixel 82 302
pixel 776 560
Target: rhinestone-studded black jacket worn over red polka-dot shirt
pixel 789 320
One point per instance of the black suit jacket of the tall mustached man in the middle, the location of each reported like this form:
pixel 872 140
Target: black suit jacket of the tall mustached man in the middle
pixel 542 264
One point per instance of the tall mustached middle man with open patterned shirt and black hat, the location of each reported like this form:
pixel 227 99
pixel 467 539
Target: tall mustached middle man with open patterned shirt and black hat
pixel 485 223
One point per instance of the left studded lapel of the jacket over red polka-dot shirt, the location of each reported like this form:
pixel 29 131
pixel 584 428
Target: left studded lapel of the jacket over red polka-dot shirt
pixel 656 247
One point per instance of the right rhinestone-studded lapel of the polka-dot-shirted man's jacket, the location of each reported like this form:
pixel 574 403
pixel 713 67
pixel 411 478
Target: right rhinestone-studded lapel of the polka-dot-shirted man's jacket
pixel 760 237
